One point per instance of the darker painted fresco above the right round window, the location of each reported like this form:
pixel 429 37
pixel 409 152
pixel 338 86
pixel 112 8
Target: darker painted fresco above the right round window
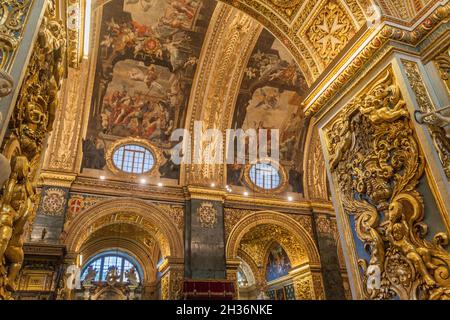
pixel 270 98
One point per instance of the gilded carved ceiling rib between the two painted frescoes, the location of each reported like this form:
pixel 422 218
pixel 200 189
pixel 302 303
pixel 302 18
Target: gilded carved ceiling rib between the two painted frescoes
pixel 230 43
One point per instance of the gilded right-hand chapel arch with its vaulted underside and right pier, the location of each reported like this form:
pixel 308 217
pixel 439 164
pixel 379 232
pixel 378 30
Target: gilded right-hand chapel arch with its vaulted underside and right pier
pixel 251 240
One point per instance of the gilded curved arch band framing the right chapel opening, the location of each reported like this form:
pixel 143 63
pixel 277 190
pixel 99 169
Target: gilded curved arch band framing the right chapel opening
pixel 275 218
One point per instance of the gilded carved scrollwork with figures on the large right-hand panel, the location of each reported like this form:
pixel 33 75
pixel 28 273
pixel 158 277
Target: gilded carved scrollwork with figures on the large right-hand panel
pixel 376 165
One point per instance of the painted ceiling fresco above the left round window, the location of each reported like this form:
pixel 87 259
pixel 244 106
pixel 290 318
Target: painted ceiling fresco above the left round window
pixel 147 57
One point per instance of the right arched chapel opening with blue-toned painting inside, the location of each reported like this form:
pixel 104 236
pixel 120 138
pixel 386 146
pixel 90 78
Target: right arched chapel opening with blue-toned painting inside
pixel 276 254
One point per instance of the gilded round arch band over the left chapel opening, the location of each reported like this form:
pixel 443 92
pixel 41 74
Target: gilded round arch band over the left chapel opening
pixel 130 211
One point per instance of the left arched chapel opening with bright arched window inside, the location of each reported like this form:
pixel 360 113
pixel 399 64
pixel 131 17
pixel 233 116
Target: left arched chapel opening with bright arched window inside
pixel 131 231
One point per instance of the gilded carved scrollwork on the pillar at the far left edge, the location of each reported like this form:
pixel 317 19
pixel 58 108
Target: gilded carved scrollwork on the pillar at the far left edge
pixel 31 121
